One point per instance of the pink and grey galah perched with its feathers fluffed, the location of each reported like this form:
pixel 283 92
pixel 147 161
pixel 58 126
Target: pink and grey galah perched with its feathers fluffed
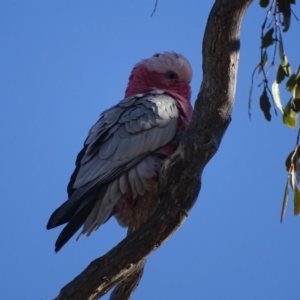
pixel 127 146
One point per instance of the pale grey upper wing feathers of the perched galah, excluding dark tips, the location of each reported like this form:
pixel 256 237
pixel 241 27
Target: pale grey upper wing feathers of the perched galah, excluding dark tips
pixel 127 141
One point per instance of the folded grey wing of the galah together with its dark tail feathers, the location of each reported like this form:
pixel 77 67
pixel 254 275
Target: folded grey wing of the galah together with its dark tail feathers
pixel 124 136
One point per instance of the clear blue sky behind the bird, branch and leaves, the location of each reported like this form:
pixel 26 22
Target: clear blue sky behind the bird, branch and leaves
pixel 62 64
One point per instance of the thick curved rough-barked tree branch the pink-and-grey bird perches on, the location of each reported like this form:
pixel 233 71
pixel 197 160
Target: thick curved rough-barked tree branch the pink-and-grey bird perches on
pixel 180 177
